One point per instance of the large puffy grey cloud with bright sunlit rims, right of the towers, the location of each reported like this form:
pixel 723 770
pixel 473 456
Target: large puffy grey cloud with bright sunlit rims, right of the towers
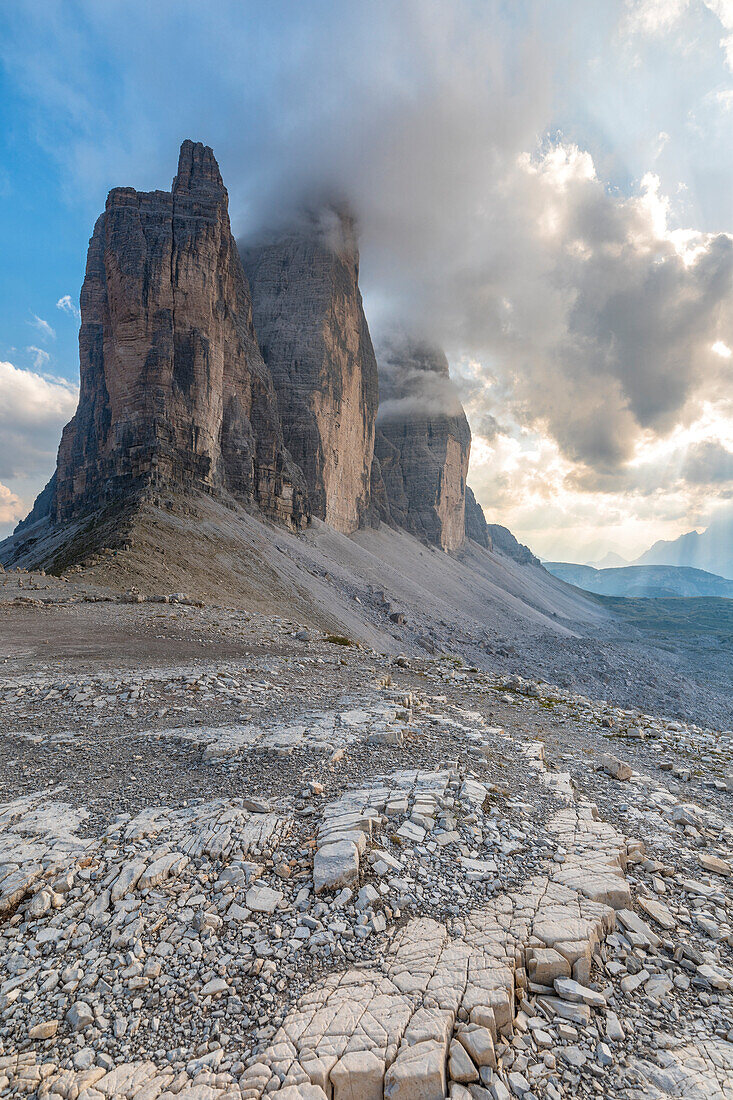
pixel 601 325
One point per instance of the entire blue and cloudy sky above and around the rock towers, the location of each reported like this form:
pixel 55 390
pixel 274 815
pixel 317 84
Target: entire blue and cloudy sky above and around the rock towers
pixel 543 188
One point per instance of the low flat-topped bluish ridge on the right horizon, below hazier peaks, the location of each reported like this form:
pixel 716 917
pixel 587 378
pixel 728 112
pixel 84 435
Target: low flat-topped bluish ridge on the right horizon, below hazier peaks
pixel 646 581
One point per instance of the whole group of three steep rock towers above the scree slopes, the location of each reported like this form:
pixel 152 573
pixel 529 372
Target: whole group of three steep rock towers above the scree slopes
pixel 194 379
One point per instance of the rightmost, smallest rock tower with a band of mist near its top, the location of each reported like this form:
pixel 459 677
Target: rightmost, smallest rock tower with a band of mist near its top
pixel 423 444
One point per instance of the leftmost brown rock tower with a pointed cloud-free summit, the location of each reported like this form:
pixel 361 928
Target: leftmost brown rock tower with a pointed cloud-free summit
pixel 174 392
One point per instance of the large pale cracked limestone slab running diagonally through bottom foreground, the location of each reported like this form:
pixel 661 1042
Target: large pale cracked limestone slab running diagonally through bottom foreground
pixel 431 975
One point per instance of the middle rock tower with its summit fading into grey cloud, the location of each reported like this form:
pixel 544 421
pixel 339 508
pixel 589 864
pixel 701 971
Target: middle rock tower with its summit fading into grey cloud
pixel 315 340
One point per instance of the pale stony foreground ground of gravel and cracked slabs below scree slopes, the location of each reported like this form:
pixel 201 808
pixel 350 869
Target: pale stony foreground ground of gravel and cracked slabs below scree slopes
pixel 242 857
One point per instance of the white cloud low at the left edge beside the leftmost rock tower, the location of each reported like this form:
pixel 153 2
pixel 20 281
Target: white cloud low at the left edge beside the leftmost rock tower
pixel 34 411
